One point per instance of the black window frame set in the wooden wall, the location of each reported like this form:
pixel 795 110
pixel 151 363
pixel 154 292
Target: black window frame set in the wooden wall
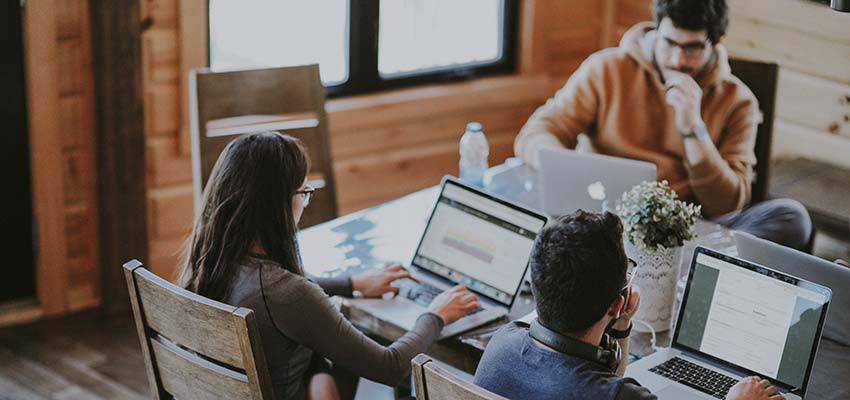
pixel 363 74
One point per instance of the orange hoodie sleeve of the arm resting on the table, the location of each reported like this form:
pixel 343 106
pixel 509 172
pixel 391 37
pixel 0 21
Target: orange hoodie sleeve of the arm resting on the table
pixel 559 122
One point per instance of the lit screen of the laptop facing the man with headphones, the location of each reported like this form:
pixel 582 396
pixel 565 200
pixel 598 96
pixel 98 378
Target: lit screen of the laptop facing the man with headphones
pixel 752 317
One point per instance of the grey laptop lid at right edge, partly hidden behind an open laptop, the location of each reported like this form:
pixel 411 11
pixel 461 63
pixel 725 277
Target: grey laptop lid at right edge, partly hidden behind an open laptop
pixel 809 267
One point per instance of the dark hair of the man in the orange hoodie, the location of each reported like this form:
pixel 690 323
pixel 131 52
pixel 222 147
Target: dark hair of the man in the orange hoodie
pixel 694 15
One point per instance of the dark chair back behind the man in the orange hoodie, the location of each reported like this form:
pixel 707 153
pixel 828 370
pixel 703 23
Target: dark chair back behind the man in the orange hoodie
pixel 761 78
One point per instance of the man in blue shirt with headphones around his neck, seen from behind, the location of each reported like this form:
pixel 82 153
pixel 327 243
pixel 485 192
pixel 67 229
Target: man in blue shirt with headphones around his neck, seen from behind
pixel 584 305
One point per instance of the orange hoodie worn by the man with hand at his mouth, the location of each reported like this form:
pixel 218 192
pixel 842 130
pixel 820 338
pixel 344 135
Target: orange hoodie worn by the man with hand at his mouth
pixel 617 97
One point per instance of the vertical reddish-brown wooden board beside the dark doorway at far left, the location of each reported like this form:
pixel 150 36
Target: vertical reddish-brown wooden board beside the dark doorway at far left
pixel 76 120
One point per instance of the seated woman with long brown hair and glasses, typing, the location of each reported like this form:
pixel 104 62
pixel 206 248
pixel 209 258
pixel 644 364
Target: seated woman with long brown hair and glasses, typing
pixel 243 251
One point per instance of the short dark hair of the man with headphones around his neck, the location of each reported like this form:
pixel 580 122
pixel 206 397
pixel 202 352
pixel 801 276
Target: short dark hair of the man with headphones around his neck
pixel 578 269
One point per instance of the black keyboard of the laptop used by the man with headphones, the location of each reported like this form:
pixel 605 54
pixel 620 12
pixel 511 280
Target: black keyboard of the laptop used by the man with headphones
pixel 695 376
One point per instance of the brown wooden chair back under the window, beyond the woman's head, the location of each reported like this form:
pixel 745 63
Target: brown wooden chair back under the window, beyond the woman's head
pixel 225 105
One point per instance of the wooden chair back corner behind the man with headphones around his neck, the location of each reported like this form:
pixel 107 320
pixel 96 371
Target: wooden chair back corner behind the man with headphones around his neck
pixel 433 382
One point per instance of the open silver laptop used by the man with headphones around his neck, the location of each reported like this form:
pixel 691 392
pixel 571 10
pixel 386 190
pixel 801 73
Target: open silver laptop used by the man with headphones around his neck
pixel 738 319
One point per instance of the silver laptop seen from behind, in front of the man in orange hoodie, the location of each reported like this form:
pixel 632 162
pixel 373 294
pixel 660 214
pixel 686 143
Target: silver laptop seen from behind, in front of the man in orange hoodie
pixel 571 180
